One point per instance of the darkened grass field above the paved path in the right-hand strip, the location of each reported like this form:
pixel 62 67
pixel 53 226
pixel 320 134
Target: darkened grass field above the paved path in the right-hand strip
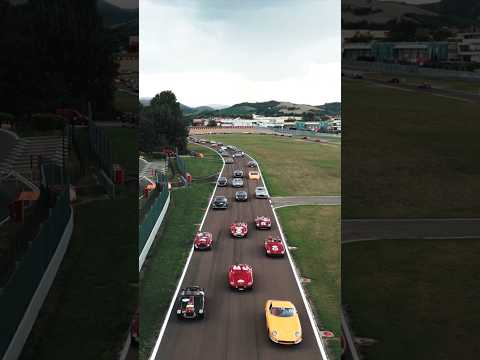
pixel 408 154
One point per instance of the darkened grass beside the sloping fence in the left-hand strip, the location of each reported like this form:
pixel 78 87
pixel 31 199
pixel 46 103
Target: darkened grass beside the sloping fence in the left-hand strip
pixel 82 310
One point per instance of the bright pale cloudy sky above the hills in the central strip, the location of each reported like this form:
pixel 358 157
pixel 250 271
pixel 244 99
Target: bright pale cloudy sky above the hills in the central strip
pixel 230 51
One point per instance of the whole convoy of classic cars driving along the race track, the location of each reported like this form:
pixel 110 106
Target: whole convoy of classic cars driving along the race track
pixel 282 320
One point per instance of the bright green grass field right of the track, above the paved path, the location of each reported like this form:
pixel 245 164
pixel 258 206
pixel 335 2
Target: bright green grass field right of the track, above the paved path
pixel 290 166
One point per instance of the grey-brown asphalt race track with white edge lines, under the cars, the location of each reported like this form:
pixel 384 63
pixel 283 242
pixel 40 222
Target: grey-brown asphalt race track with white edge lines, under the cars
pixel 234 325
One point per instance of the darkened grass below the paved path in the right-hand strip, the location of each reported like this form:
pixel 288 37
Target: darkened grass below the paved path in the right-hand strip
pixel 418 298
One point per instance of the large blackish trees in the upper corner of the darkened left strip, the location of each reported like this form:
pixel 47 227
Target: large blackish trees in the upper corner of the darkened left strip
pixel 54 53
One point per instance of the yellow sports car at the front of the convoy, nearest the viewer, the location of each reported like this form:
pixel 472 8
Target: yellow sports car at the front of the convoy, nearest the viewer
pixel 283 323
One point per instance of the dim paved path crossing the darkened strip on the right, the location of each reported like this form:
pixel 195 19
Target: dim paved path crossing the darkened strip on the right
pixel 378 229
